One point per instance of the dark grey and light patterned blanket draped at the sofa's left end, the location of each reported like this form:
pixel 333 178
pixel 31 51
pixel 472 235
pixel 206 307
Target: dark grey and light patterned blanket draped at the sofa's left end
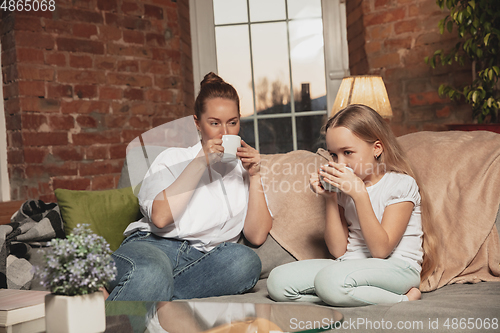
pixel 33 224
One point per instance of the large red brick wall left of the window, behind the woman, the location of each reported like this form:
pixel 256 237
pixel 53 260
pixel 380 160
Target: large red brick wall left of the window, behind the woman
pixel 84 80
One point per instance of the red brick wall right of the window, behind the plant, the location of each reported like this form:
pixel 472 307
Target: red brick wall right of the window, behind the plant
pixel 391 38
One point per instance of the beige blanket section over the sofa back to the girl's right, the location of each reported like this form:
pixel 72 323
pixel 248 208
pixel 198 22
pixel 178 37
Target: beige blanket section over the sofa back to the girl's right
pixel 460 172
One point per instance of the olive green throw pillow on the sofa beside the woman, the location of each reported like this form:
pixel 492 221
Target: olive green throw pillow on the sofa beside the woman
pixel 107 212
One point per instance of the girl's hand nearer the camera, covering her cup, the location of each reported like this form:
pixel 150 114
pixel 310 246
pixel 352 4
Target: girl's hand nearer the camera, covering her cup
pixel 339 176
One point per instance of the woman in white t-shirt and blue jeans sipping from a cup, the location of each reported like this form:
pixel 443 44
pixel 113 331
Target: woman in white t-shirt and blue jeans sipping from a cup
pixel 195 208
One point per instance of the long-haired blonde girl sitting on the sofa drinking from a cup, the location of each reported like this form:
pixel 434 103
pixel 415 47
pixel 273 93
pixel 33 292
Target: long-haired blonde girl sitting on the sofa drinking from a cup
pixel 373 225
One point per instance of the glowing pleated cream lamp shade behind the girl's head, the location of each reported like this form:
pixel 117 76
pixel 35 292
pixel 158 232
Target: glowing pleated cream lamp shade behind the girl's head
pixel 364 89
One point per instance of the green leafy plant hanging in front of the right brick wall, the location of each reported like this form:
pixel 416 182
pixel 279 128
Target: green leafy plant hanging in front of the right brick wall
pixel 477 23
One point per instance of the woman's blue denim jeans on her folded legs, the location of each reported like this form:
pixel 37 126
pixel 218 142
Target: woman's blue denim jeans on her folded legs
pixel 153 268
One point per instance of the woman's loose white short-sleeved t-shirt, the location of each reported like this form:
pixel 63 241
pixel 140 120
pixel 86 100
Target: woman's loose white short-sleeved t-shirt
pixel 217 210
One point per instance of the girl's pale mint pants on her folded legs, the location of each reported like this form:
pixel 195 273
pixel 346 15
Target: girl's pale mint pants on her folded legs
pixel 343 283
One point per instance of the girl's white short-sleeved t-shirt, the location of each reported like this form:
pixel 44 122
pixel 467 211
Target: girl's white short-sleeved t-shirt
pixel 392 188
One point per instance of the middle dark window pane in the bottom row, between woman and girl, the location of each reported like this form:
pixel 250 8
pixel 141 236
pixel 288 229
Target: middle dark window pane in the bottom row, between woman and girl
pixel 275 135
